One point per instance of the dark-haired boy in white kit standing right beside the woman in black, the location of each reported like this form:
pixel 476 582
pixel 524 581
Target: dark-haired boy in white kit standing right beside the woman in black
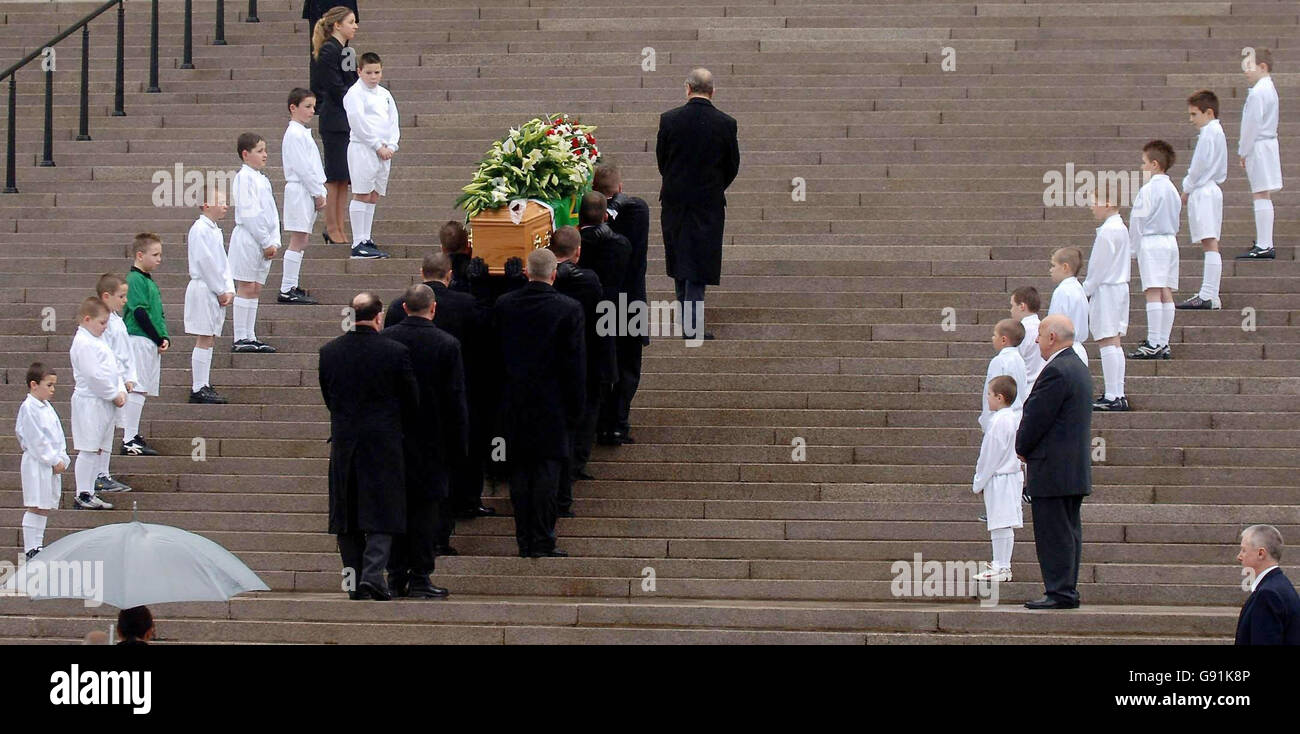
pixel 374 120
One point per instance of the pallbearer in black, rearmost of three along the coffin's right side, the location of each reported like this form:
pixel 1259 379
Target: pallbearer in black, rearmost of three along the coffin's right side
pixel 584 286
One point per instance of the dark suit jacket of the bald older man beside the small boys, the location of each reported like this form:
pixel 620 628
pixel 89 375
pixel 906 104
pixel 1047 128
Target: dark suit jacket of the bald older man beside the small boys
pixel 1056 431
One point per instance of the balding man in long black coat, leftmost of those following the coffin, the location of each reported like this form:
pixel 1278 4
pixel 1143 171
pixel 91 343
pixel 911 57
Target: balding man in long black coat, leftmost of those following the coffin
pixel 374 402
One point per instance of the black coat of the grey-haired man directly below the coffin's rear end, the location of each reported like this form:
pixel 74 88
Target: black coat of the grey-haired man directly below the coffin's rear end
pixel 541 340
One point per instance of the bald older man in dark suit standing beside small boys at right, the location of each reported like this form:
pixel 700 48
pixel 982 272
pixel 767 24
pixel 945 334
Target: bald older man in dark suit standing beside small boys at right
pixel 1055 442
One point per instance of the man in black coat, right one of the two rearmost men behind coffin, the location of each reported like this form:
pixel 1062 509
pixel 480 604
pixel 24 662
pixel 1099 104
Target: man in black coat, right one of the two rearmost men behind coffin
pixel 439 444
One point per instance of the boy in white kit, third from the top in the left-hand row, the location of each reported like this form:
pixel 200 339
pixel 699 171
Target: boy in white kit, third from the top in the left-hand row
pixel 254 241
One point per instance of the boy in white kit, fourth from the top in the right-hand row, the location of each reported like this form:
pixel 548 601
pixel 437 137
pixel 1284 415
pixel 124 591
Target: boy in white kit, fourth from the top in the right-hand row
pixel 1107 288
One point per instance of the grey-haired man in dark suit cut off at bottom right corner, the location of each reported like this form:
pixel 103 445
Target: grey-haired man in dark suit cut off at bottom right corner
pixel 1272 613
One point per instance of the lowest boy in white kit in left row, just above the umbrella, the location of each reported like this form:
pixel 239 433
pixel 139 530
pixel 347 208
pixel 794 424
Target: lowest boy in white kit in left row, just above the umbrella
pixel 45 457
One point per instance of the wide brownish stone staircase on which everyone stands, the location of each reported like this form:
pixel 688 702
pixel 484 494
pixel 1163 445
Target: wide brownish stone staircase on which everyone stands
pixel 921 134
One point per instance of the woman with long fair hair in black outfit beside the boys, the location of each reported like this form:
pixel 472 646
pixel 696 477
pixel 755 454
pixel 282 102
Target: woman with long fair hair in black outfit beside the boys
pixel 333 73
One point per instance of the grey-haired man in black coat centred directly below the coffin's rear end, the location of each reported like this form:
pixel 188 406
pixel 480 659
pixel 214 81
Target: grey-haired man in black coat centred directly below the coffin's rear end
pixel 541 340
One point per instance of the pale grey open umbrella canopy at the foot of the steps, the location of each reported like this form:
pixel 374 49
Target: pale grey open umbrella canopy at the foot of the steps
pixel 149 564
